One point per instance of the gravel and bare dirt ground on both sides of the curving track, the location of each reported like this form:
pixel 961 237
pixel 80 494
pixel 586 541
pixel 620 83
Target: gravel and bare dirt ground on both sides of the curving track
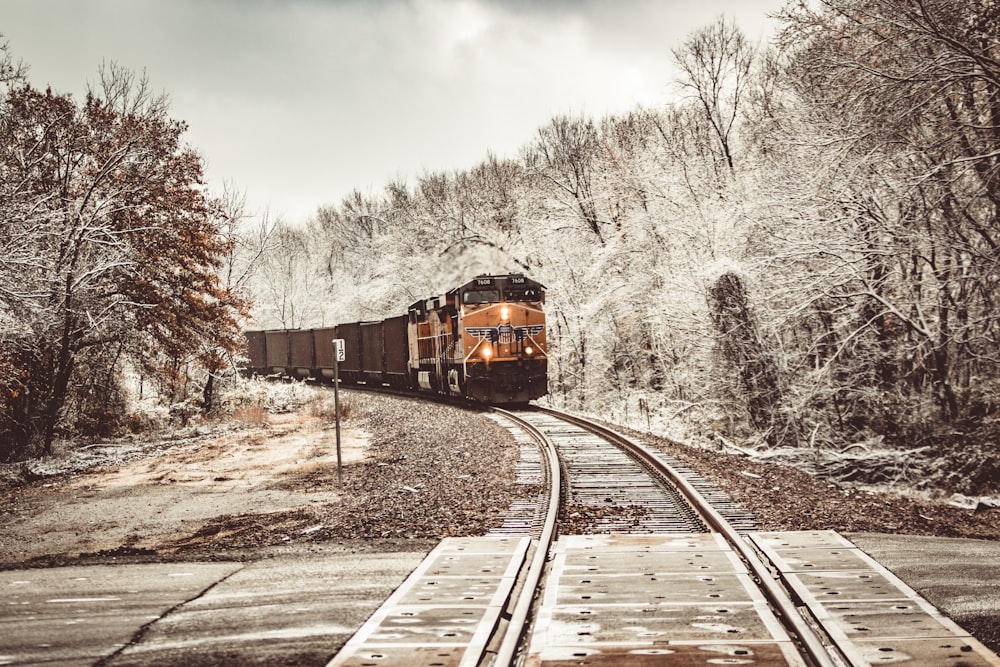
pixel 416 470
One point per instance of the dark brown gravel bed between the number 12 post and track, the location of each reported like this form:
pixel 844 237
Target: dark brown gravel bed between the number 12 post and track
pixel 432 471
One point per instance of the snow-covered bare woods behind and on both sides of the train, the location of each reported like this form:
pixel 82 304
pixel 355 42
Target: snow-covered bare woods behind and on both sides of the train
pixel 796 258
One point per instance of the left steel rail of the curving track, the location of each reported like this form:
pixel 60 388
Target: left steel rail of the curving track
pixel 522 609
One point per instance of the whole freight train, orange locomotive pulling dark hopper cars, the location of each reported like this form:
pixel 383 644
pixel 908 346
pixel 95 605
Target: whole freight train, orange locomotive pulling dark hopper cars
pixel 484 341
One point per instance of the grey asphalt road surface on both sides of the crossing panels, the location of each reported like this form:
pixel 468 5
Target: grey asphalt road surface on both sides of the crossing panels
pixel 297 607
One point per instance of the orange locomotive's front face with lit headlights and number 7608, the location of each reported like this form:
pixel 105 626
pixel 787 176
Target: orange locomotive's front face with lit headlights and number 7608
pixel 503 339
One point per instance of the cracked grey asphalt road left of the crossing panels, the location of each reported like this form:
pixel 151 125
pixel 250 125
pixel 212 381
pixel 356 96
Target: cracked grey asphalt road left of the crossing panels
pixel 286 608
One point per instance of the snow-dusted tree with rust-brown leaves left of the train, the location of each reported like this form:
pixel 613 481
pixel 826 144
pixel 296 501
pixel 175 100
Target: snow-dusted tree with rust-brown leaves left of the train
pixel 112 251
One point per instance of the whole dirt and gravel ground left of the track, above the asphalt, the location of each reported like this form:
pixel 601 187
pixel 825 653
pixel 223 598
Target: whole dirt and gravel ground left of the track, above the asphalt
pixel 412 470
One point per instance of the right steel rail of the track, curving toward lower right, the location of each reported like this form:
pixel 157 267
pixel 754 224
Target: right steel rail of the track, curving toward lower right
pixel 816 651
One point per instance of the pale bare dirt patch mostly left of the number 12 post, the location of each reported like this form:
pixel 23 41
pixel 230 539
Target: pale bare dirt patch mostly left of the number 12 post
pixel 149 504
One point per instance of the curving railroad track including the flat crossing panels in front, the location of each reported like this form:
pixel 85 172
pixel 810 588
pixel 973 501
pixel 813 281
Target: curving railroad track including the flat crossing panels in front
pixel 629 558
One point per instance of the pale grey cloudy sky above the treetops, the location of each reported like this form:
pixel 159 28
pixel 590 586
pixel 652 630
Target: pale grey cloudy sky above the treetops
pixel 298 102
